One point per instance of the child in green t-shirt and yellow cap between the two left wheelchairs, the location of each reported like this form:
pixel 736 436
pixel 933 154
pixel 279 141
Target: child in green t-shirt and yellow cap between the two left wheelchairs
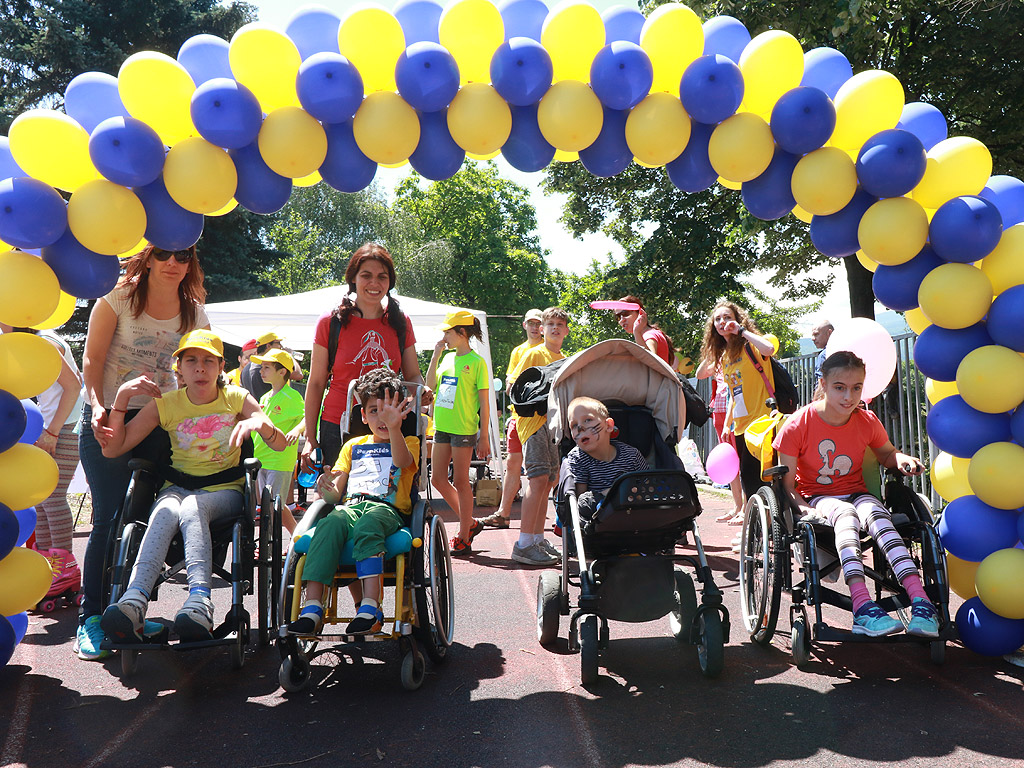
pixel 284 407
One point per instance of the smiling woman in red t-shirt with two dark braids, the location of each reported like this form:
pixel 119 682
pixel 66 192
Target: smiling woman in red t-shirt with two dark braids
pixel 369 338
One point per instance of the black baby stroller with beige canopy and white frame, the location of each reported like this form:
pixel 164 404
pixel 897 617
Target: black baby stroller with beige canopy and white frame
pixel 627 558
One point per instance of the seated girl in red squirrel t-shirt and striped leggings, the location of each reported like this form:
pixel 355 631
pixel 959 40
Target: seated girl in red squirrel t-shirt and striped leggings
pixel 824 446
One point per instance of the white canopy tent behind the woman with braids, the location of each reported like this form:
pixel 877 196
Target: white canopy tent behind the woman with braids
pixel 294 319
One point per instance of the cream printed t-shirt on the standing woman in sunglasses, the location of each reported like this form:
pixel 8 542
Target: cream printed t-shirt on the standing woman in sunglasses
pixel 142 346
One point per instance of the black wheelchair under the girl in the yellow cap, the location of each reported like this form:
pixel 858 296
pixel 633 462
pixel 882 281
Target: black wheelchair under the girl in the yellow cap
pixel 252 536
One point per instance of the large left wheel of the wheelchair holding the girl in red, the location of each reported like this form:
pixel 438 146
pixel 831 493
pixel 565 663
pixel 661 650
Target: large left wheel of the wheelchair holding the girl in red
pixel 761 564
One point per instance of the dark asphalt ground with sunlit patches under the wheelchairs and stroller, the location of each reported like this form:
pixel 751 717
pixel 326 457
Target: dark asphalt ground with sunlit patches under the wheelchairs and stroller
pixel 501 700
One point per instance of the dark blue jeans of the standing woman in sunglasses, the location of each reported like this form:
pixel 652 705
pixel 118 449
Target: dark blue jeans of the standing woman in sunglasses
pixel 108 485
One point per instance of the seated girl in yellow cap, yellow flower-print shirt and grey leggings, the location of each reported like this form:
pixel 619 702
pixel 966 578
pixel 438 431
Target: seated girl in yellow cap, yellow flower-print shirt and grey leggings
pixel 207 420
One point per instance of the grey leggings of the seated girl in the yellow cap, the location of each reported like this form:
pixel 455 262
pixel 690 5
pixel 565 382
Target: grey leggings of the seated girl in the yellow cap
pixel 191 513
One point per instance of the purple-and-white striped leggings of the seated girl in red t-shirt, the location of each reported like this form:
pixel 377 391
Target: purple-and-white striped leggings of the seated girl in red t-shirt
pixel 848 516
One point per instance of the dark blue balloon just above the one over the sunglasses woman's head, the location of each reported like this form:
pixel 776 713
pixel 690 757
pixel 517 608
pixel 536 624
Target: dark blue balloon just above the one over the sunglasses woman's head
pixel 127 152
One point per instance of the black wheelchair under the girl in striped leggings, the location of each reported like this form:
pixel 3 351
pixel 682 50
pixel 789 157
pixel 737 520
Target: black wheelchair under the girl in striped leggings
pixel 782 551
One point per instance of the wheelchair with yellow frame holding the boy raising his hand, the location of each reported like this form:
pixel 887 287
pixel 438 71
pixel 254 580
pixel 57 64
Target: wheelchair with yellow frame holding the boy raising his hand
pixel 418 568
